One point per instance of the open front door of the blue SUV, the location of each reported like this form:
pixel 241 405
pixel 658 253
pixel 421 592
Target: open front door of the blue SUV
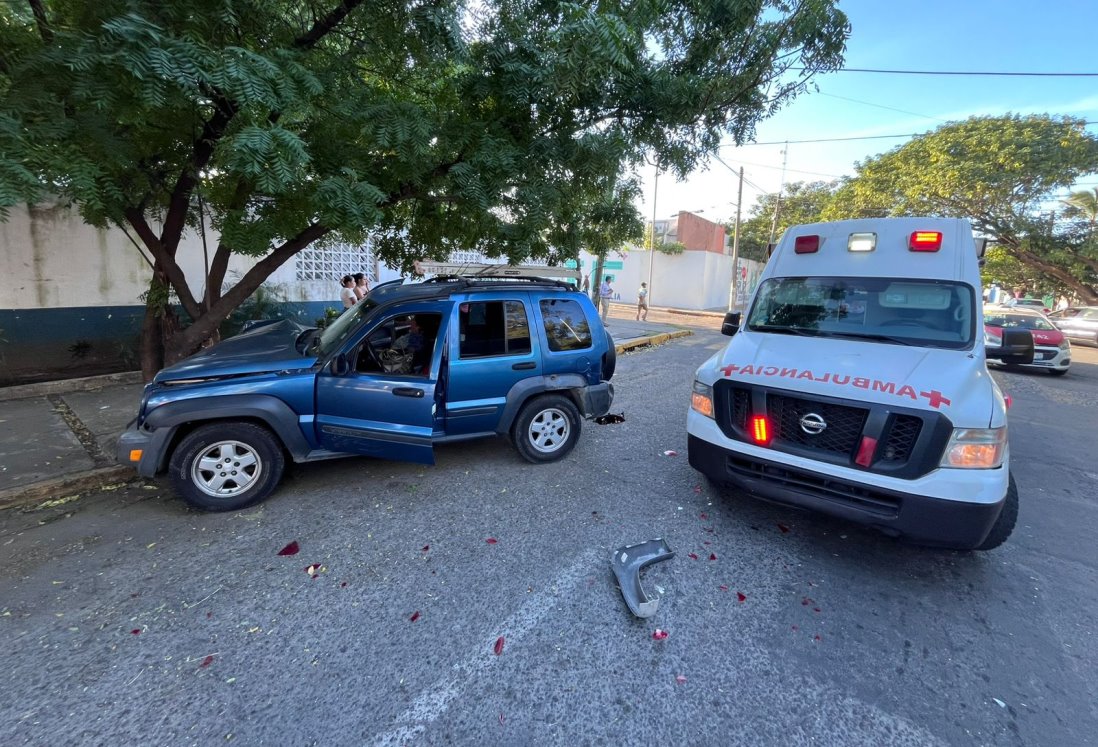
pixel 391 415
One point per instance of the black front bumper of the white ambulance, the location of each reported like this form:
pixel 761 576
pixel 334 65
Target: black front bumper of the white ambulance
pixel 925 520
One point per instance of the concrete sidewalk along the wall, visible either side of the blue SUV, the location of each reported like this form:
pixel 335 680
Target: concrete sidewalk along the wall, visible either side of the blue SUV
pixel 58 439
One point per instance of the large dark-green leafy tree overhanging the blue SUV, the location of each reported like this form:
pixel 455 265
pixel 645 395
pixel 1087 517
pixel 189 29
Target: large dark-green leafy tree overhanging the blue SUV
pixel 436 125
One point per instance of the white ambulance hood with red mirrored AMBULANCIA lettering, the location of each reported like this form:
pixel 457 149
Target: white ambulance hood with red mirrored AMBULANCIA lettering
pixel 955 383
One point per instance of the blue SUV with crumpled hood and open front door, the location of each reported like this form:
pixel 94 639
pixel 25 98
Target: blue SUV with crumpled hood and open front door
pixel 409 367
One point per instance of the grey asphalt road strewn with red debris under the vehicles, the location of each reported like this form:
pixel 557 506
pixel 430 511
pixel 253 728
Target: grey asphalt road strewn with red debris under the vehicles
pixel 129 619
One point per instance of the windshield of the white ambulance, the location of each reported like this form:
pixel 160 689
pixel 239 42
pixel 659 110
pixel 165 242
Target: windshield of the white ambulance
pixel 927 314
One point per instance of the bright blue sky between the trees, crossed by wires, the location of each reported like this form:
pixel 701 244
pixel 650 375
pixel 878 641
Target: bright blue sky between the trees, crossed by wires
pixel 1005 36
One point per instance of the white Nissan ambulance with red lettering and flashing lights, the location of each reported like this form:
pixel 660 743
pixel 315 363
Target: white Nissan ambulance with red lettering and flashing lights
pixel 858 385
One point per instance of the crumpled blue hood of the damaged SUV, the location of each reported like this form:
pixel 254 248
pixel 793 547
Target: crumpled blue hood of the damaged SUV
pixel 268 348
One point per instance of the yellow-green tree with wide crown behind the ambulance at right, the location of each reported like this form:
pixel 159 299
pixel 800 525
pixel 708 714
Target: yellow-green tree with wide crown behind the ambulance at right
pixel 1000 173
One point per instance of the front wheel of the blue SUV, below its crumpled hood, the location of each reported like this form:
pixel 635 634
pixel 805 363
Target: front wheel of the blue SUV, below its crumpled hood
pixel 227 466
